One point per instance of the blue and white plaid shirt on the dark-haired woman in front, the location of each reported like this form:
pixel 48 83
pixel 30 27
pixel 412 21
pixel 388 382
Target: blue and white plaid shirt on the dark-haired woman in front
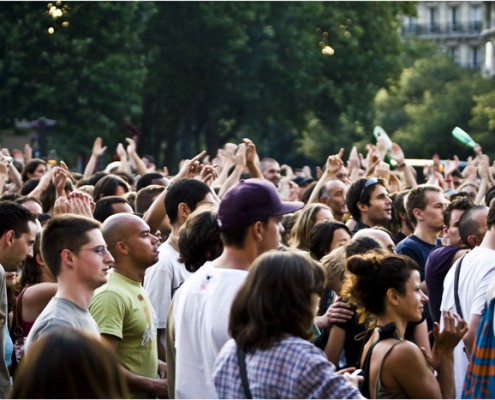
pixel 292 368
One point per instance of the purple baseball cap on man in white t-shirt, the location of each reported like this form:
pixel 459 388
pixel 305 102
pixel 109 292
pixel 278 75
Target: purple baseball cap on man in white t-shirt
pixel 252 200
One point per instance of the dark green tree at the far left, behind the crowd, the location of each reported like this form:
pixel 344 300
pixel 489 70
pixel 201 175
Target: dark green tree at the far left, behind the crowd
pixel 83 66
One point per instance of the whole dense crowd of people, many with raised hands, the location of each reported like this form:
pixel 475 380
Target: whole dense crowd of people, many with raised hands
pixel 242 278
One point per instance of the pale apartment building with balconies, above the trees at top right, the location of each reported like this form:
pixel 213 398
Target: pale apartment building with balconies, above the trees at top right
pixel 455 25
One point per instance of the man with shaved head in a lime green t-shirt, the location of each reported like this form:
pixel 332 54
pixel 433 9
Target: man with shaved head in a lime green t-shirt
pixel 123 310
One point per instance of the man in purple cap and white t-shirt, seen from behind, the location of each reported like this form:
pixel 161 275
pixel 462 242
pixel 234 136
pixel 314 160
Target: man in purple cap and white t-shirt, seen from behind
pixel 249 218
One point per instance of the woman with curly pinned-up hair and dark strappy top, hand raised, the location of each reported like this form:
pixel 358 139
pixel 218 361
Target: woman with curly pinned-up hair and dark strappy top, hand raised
pixel 386 291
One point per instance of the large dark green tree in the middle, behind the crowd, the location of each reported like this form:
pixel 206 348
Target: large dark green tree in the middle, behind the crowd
pixel 225 70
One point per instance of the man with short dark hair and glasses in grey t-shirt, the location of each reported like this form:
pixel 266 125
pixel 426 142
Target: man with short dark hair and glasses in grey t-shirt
pixel 76 253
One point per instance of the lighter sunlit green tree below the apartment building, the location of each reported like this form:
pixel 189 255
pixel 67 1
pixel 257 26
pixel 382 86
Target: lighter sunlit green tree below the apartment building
pixel 432 97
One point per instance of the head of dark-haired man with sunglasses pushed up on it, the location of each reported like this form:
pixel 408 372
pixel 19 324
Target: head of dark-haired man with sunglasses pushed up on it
pixel 369 204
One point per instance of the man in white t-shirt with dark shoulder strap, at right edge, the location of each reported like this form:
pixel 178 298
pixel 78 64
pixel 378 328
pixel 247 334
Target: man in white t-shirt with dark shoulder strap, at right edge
pixel 476 270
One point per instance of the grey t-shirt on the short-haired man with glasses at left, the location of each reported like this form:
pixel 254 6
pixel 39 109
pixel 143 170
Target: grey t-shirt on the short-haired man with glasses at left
pixel 62 313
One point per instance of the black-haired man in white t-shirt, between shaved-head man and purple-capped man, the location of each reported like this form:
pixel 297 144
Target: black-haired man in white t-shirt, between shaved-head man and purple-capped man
pixel 167 275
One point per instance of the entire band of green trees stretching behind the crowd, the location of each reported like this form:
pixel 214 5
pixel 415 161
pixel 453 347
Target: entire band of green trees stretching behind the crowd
pixel 299 78
